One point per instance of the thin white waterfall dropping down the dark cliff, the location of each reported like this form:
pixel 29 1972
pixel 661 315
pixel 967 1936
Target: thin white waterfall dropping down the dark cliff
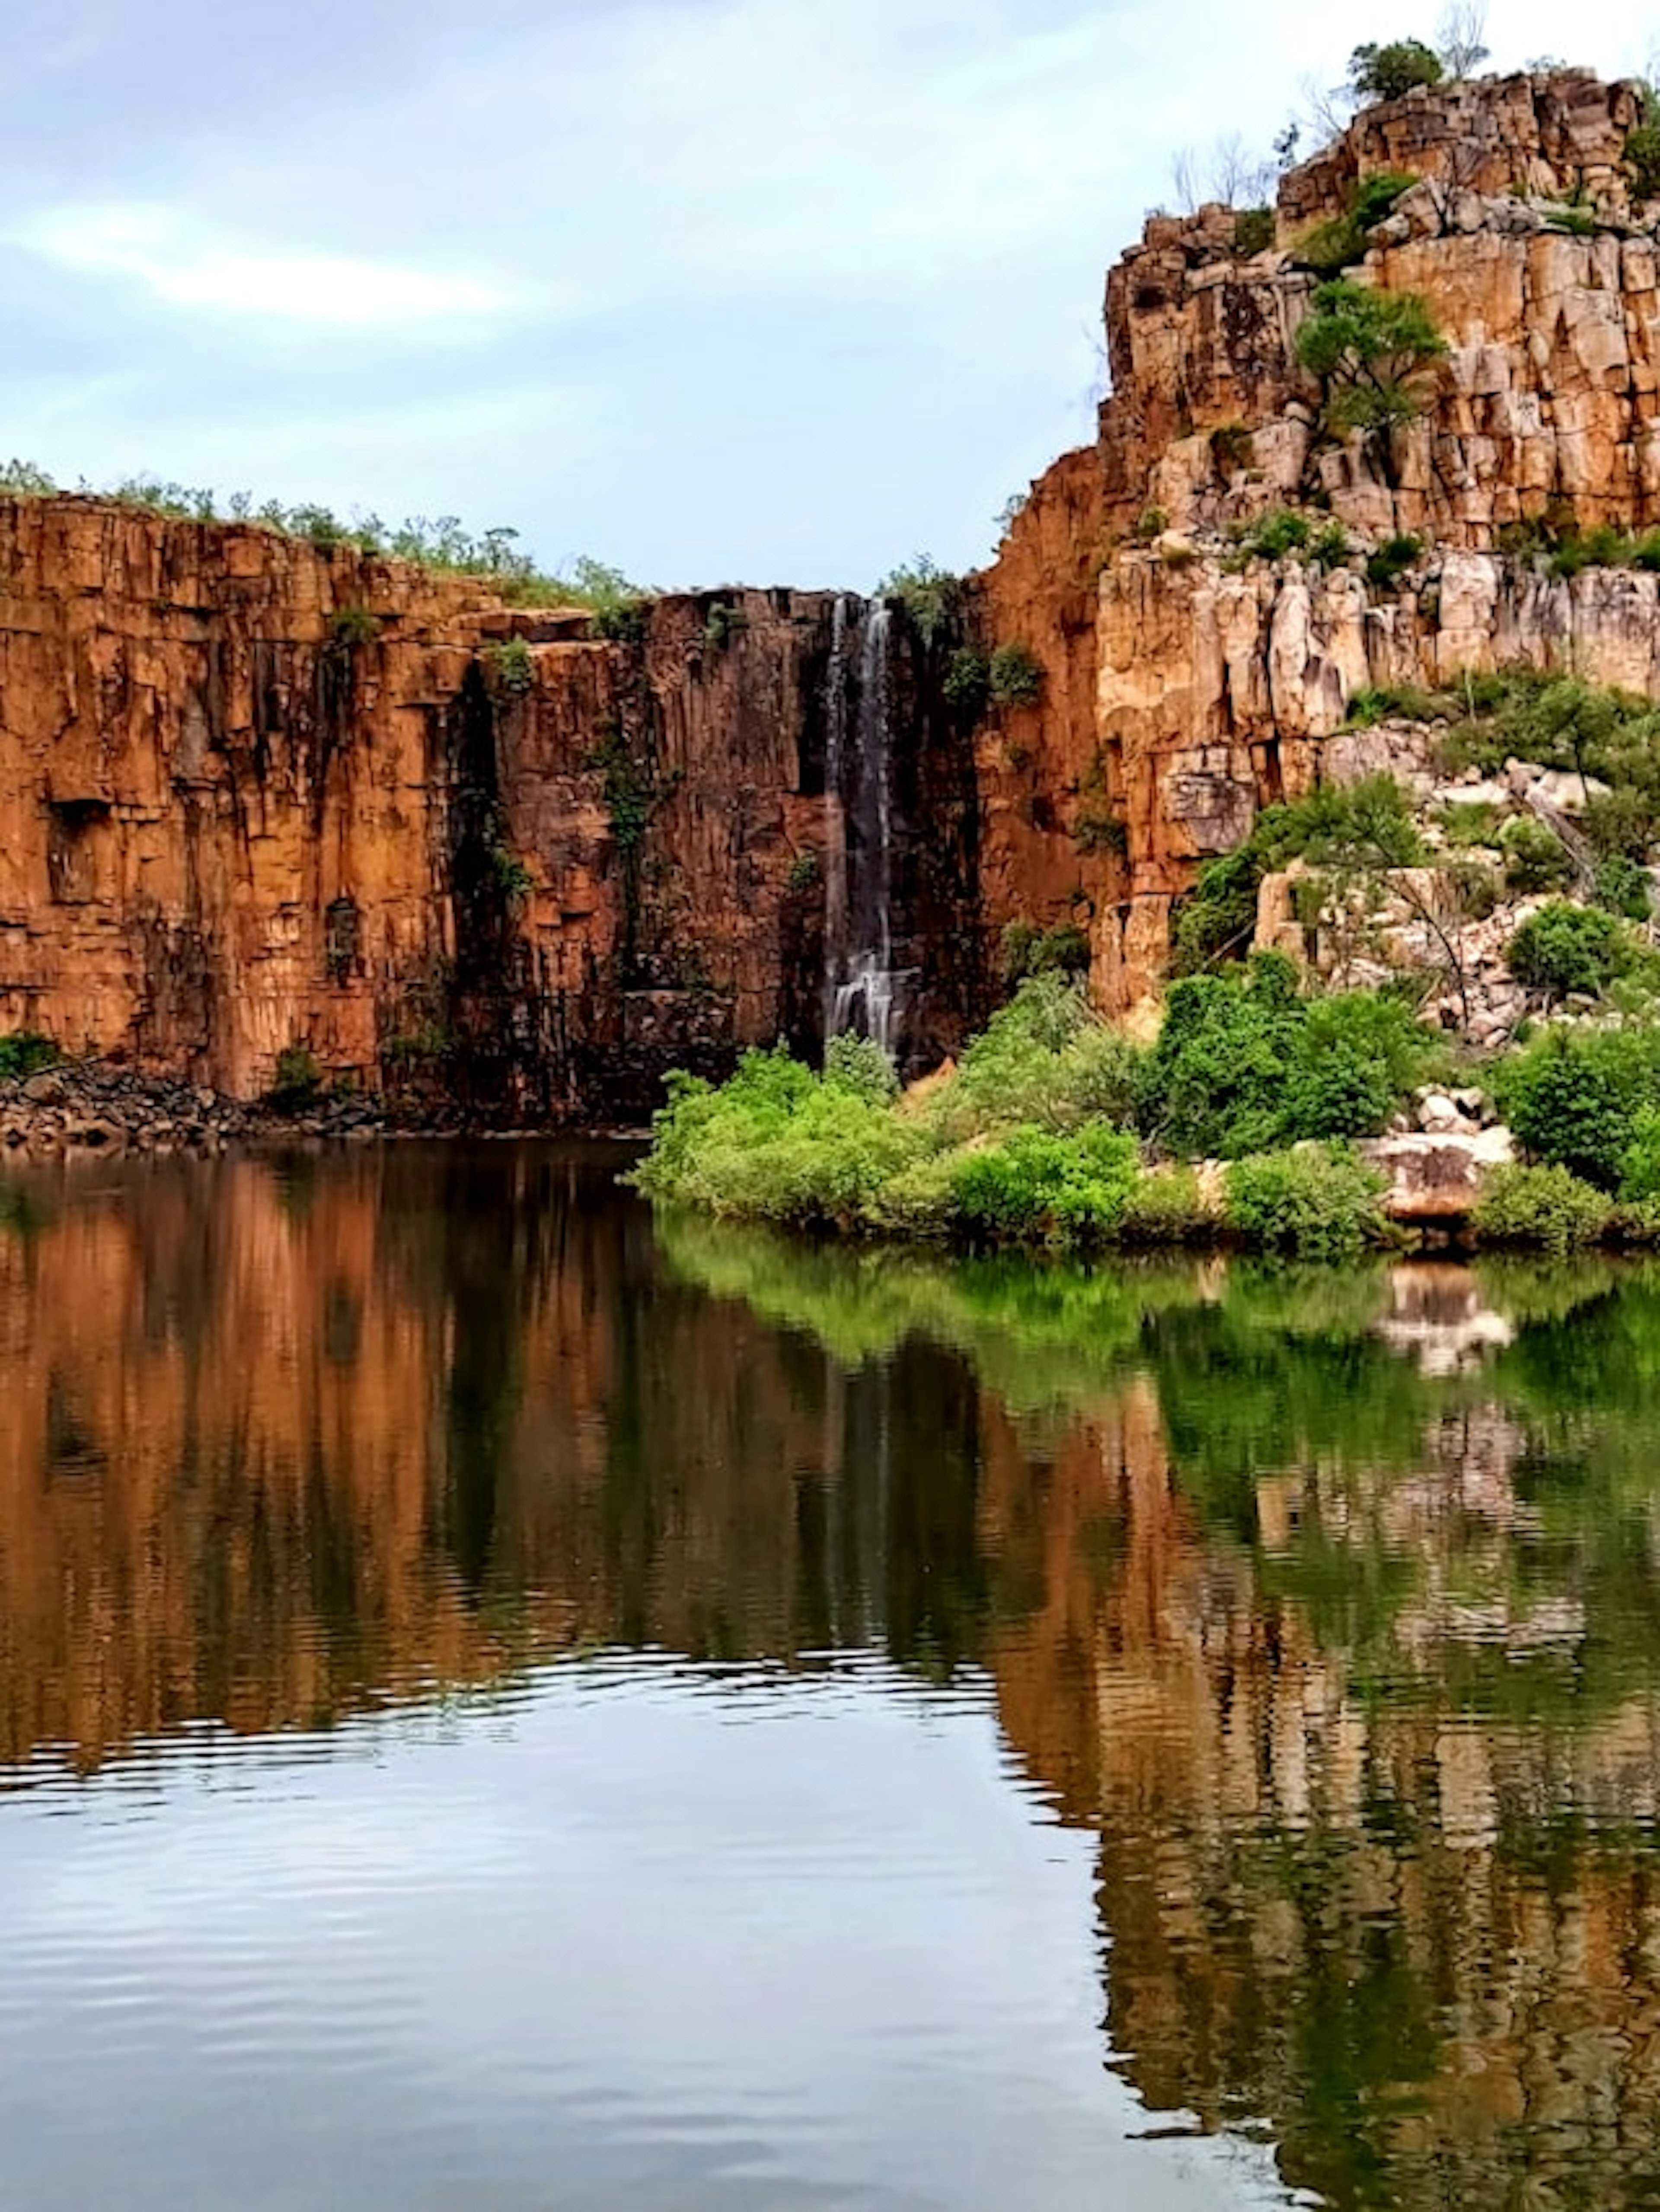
pixel 862 990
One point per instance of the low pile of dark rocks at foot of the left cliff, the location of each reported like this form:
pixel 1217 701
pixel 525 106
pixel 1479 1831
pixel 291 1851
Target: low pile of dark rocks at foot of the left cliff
pixel 94 1107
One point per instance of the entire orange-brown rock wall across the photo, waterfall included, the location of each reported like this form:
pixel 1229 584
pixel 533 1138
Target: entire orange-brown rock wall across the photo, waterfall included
pixel 264 797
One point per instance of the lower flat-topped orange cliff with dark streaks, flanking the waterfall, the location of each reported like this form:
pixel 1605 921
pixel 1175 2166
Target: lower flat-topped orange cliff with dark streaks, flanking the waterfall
pixel 271 797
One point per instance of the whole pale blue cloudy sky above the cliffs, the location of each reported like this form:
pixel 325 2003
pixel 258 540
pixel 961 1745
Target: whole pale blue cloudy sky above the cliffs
pixel 714 291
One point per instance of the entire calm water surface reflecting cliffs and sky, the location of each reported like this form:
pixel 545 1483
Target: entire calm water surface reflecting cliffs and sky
pixel 515 1707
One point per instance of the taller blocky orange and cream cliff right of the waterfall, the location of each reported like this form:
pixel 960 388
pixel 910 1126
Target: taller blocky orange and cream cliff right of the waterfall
pixel 1218 674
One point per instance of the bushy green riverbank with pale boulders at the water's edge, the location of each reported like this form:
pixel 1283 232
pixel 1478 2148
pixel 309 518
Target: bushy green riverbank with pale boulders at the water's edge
pixel 1260 1118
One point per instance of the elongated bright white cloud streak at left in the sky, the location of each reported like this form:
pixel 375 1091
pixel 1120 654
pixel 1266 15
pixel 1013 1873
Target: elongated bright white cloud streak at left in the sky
pixel 180 262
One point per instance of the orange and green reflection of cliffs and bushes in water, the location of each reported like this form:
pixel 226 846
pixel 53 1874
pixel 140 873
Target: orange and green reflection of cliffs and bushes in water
pixel 1329 1605
